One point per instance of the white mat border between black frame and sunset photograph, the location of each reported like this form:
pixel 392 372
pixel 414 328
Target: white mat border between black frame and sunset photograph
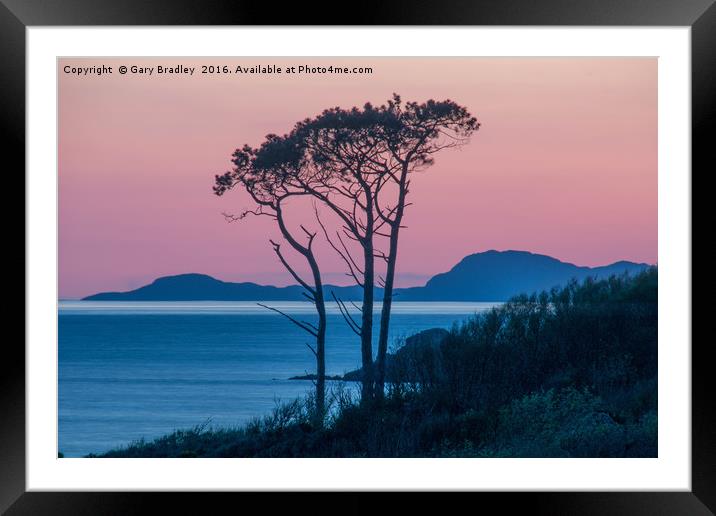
pixel 671 471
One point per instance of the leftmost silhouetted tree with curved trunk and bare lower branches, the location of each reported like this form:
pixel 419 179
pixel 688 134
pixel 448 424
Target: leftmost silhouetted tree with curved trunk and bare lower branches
pixel 262 172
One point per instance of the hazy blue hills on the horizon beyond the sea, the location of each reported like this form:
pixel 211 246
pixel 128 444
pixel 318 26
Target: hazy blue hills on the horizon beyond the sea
pixel 487 276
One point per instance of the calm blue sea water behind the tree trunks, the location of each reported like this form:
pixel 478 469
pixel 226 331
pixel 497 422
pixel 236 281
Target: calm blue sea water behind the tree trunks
pixel 143 369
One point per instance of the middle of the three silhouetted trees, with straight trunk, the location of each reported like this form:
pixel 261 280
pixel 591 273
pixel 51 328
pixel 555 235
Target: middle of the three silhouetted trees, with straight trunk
pixel 342 148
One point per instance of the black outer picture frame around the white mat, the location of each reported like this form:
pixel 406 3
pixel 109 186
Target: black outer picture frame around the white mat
pixel 16 15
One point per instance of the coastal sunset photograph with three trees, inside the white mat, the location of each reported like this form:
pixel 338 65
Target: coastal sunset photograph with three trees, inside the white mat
pixel 357 257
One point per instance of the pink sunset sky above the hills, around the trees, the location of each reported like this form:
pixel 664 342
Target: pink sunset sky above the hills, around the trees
pixel 565 164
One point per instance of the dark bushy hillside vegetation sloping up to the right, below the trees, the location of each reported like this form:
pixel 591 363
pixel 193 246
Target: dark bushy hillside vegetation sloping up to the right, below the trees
pixel 566 373
